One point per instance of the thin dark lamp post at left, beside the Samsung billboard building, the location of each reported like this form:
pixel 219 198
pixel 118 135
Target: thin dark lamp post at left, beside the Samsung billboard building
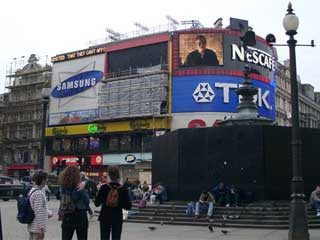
pixel 45 101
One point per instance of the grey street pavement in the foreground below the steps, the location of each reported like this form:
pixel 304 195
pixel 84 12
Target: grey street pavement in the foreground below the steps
pixel 134 231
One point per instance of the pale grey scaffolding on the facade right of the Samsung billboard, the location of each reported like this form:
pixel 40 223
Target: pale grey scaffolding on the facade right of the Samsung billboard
pixel 143 92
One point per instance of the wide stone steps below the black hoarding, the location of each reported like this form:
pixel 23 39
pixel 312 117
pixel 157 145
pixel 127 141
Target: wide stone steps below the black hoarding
pixel 251 216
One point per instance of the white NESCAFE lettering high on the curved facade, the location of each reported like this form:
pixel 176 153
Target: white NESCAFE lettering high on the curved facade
pixel 252 55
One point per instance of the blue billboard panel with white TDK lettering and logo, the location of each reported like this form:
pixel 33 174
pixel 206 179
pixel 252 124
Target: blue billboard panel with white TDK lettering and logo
pixel 217 93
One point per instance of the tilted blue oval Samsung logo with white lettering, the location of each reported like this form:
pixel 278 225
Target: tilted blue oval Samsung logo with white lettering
pixel 77 84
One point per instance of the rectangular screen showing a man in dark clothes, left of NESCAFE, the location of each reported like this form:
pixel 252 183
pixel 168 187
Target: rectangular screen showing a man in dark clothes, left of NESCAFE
pixel 200 49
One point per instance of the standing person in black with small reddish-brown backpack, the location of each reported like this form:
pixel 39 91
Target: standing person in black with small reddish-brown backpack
pixel 113 197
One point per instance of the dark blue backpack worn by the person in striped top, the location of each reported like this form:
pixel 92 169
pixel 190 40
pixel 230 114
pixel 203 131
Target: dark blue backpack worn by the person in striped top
pixel 25 212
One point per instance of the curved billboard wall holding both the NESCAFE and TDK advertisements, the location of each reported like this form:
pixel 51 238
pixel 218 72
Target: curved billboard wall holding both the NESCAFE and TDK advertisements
pixel 208 68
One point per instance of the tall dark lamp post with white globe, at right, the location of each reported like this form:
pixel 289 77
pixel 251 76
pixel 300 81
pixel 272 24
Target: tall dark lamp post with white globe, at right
pixel 298 225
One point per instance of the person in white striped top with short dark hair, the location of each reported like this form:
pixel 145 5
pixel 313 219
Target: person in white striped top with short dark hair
pixel 39 205
